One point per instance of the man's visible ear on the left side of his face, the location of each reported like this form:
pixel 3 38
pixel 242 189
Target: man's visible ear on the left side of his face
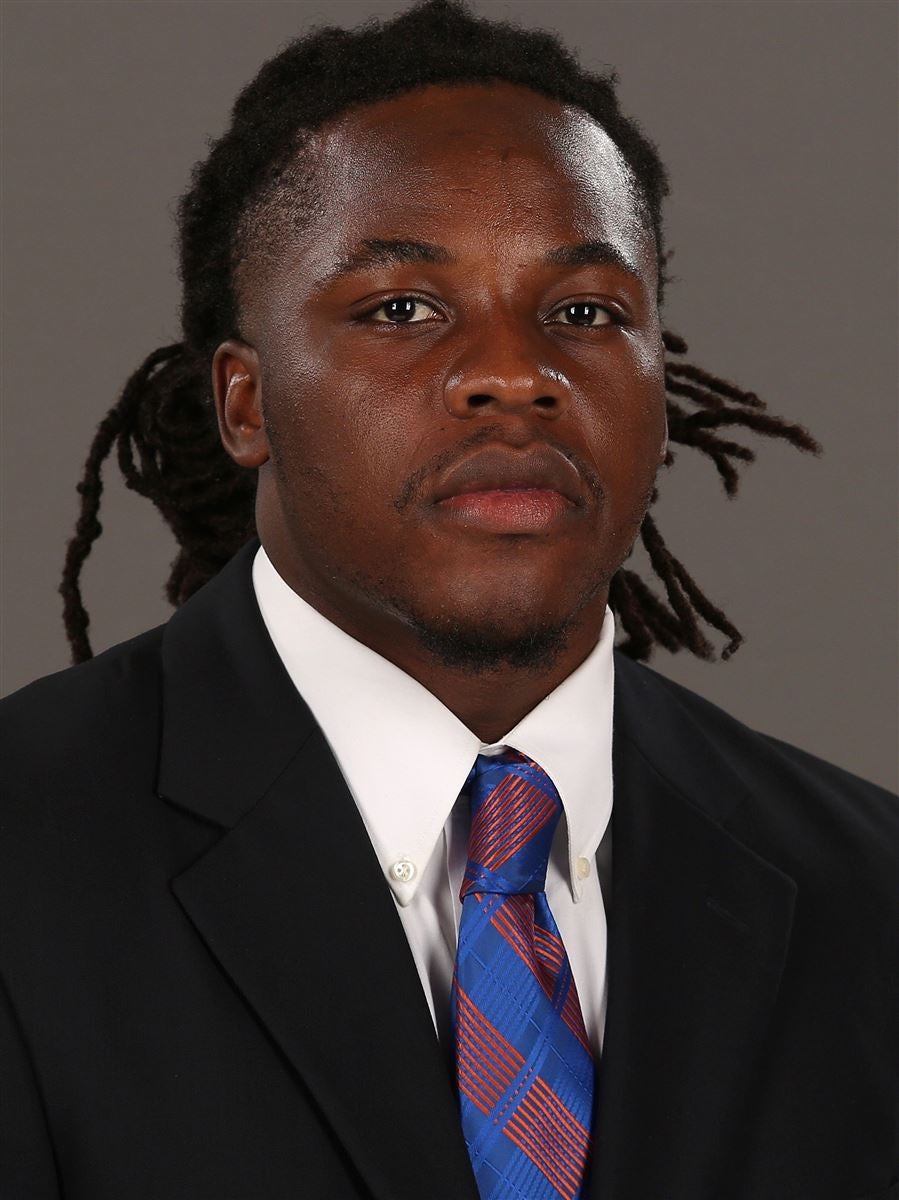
pixel 237 387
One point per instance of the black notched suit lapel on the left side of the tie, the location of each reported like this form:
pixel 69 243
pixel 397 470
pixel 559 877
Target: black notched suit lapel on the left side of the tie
pixel 291 899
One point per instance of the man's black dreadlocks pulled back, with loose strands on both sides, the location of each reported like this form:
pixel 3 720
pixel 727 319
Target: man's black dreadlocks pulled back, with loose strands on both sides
pixel 256 179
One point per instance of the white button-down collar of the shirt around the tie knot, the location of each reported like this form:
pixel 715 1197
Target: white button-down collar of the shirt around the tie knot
pixel 406 757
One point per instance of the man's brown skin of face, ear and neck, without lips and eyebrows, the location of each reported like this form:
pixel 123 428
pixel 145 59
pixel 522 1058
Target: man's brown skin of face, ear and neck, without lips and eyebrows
pixel 352 416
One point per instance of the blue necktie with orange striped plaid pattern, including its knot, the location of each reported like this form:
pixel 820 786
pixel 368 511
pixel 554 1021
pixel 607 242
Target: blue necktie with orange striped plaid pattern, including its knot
pixel 525 1071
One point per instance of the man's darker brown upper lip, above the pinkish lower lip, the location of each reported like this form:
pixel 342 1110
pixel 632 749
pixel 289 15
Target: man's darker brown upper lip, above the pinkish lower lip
pixel 496 470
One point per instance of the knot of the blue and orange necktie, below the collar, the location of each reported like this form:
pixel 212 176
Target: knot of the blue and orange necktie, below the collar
pixel 514 813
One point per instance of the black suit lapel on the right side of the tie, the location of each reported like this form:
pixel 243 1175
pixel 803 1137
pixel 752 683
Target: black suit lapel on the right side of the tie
pixel 698 937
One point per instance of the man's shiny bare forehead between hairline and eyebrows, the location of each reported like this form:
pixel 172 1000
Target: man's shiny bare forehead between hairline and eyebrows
pixel 495 161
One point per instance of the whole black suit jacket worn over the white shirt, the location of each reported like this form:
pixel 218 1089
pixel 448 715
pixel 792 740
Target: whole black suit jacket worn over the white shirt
pixel 208 994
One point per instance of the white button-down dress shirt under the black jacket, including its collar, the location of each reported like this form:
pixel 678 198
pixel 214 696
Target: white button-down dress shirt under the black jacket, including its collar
pixel 406 758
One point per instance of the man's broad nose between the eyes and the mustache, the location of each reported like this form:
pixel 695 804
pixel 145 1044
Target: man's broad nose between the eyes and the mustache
pixel 502 373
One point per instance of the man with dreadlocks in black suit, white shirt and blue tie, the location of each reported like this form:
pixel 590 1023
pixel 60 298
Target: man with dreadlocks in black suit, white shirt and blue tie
pixel 379 871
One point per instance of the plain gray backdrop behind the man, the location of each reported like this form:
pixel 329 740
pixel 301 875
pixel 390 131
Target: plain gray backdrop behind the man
pixel 777 122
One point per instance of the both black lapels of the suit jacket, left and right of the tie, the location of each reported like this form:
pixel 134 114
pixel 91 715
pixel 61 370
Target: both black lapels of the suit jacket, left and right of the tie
pixel 699 923
